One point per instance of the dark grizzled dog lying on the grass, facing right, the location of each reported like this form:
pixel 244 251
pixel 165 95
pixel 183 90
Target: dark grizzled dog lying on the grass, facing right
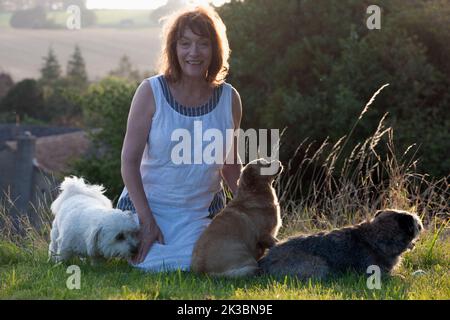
pixel 379 242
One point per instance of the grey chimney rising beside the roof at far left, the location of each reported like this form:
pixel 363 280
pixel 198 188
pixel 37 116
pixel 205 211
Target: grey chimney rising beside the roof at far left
pixel 23 175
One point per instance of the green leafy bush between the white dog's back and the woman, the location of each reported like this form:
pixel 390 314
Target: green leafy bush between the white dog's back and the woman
pixel 105 108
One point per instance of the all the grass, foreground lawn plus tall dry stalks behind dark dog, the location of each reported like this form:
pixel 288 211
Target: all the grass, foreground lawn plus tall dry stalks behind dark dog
pixel 342 190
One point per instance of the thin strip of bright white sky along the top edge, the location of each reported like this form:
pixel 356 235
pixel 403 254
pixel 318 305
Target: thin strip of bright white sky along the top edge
pixel 140 4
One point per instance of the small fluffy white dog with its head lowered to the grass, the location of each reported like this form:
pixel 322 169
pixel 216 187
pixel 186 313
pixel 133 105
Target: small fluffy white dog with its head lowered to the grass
pixel 87 225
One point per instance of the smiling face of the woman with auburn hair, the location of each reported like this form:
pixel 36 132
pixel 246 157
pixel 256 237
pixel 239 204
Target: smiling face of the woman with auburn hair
pixel 194 54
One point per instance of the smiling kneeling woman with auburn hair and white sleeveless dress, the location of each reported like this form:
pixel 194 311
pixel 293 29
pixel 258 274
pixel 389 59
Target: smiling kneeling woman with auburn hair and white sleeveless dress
pixel 173 201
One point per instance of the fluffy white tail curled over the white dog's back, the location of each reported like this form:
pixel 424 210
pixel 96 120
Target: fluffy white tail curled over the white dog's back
pixel 73 186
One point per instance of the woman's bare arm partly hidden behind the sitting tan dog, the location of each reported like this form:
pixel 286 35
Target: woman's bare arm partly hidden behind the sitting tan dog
pixel 231 171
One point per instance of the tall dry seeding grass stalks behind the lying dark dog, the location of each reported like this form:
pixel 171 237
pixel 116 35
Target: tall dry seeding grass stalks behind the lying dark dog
pixel 328 185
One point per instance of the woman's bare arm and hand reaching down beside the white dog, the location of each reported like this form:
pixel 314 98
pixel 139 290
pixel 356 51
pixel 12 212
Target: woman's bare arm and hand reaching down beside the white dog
pixel 138 128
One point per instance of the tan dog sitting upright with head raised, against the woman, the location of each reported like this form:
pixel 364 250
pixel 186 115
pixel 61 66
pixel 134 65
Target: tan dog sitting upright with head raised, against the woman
pixel 237 236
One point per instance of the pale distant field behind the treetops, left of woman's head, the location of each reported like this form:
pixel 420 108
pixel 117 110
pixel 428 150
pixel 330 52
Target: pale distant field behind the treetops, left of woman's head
pixel 22 50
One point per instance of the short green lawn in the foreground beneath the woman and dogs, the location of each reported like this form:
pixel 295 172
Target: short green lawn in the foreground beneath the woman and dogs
pixel 26 274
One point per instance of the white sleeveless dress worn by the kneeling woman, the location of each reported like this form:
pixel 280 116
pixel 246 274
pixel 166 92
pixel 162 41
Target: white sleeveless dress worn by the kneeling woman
pixel 182 197
